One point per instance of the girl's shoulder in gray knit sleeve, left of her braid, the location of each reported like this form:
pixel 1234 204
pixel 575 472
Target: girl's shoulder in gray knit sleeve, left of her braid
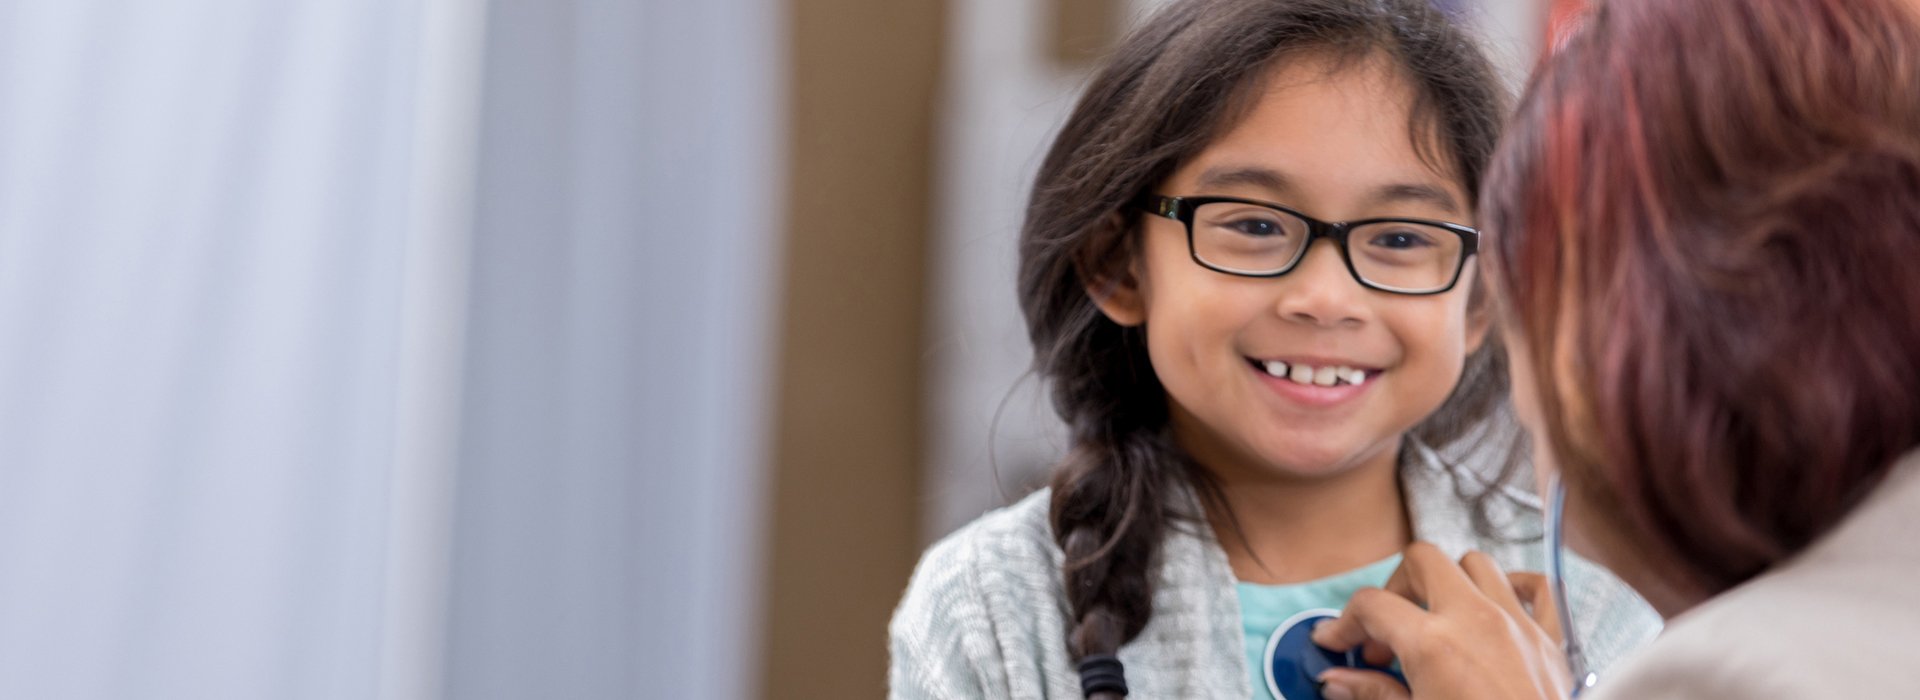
pixel 978 609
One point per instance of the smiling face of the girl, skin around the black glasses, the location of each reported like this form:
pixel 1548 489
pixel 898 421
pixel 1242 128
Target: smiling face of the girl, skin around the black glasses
pixel 1333 145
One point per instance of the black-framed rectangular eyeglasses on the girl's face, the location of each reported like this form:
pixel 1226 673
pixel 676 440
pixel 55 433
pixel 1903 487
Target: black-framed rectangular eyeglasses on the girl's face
pixel 1262 239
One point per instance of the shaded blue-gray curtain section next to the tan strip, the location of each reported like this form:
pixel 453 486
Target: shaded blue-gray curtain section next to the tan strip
pixel 615 392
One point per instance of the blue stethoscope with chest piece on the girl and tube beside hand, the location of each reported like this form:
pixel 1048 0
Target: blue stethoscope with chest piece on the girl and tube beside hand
pixel 1295 663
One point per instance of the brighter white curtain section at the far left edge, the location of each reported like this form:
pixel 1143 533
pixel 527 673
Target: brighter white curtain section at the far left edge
pixel 203 212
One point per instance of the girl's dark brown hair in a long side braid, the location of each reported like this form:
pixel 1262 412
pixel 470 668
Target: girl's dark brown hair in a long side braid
pixel 1168 91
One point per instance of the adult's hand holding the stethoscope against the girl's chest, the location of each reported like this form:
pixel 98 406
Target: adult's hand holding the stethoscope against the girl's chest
pixel 1460 632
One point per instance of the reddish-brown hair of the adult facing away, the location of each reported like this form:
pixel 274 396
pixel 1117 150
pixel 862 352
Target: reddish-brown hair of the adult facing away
pixel 1706 225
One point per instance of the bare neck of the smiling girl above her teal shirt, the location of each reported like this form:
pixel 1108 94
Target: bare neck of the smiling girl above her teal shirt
pixel 1297 530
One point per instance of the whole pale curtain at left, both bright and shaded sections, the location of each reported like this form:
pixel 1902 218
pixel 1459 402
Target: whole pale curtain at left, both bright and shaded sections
pixel 358 350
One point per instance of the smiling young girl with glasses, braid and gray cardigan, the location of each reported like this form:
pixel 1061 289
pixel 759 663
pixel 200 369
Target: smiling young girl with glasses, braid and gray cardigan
pixel 1247 277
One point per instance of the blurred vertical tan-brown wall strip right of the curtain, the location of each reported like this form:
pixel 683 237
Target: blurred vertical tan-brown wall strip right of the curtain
pixel 844 532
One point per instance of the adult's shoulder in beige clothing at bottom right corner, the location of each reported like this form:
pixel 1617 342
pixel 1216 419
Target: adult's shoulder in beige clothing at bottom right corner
pixel 1838 620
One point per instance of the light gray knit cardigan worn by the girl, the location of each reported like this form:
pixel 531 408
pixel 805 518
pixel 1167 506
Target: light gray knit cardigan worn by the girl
pixel 986 615
